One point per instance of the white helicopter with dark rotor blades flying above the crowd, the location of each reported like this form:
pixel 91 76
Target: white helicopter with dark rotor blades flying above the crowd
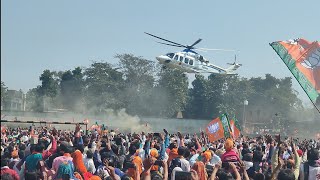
pixel 191 62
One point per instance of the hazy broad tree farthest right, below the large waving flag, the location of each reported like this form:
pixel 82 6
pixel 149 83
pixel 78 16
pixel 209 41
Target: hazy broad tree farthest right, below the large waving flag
pixel 273 100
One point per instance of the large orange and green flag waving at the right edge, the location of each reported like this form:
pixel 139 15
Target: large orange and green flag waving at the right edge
pixel 303 60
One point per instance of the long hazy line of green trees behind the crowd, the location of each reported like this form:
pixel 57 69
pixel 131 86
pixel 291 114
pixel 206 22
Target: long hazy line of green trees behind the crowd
pixel 143 88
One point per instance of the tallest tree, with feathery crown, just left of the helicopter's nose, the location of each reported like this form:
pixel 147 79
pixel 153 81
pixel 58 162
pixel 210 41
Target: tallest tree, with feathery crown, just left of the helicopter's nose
pixel 139 81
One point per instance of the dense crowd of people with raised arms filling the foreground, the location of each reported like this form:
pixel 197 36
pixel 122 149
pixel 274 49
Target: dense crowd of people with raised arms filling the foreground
pixel 48 153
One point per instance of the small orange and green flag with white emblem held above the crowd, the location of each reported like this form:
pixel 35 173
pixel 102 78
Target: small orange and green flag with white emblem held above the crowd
pixel 218 128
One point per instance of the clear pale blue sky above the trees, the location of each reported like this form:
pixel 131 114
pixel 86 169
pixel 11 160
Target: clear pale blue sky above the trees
pixel 61 35
